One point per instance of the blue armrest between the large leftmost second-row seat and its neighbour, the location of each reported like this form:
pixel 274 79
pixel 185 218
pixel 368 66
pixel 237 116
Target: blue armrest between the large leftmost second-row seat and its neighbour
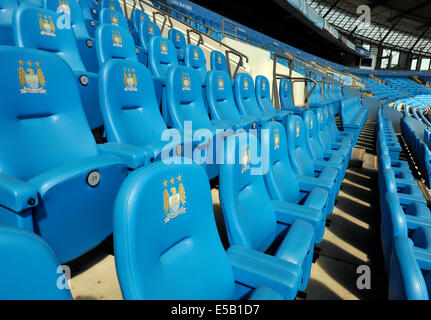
pixel 133 156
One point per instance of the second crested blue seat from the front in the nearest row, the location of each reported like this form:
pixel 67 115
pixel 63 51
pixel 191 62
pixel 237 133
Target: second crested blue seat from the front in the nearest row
pixel 251 219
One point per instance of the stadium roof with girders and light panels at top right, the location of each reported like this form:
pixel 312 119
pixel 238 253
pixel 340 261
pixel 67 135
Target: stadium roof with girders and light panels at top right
pixel 404 25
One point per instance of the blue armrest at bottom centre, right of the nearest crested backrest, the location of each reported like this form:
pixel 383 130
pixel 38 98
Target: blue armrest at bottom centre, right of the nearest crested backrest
pixel 253 268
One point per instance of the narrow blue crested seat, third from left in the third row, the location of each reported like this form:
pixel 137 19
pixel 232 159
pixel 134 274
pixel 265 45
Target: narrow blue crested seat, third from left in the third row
pixel 161 57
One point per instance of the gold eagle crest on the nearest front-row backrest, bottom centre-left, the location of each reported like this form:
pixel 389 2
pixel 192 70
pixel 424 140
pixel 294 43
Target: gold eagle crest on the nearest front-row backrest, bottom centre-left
pixel 173 201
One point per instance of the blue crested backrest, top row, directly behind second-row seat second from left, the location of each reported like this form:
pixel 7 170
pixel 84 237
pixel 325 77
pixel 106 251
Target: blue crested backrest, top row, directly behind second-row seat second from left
pixel 114 43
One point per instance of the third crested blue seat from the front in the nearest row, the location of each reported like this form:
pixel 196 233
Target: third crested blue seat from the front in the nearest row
pixel 305 204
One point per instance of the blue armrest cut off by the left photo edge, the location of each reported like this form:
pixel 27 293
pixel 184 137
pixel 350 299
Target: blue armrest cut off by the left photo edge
pixel 16 195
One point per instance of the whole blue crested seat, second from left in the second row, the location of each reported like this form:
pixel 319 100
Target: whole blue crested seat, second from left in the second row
pixel 133 123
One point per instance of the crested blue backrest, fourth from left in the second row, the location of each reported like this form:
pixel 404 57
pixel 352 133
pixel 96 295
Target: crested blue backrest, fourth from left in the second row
pixel 220 97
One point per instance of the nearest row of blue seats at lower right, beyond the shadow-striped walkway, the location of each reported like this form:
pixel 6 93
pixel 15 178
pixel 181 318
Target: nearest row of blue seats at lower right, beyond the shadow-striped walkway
pixel 405 222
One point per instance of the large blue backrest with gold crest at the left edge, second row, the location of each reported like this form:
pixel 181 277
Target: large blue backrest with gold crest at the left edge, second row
pixel 40 101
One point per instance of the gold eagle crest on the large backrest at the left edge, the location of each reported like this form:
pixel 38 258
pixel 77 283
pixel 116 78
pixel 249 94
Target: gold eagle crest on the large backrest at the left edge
pixel 30 81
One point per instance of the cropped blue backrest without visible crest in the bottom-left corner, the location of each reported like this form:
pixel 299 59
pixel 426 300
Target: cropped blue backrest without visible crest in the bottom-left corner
pixel 23 253
